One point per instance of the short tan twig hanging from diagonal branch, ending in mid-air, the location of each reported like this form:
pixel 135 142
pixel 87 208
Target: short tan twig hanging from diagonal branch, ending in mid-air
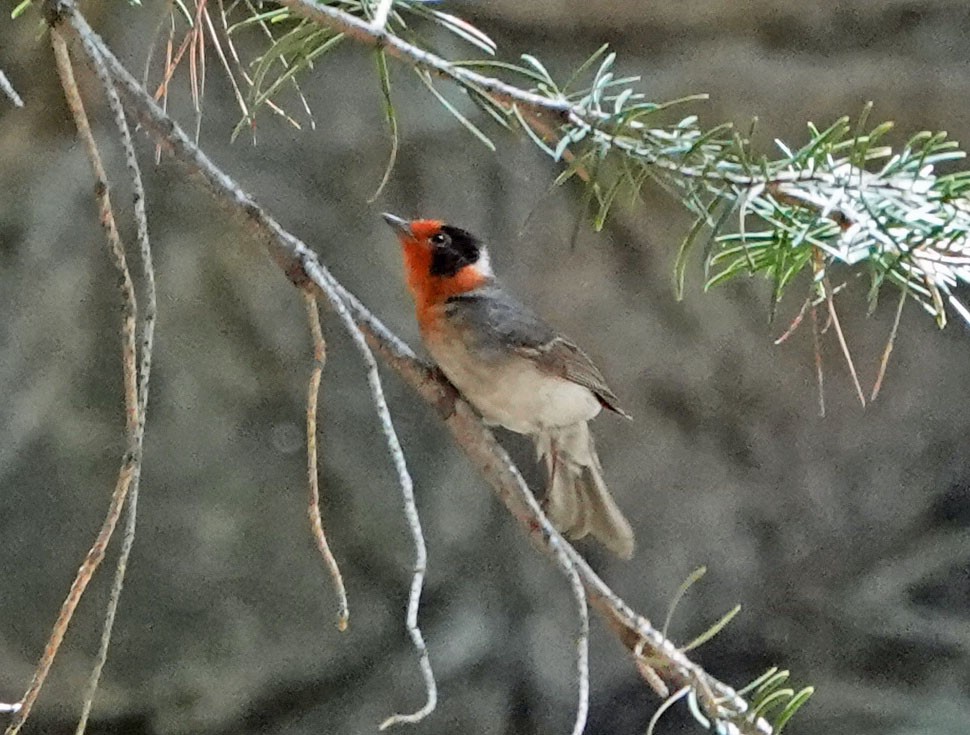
pixel 313 508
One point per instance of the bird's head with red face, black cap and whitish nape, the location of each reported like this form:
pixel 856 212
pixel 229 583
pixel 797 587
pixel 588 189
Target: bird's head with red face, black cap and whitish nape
pixel 440 261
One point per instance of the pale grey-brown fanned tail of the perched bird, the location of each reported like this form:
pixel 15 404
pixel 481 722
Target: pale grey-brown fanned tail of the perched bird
pixel 577 501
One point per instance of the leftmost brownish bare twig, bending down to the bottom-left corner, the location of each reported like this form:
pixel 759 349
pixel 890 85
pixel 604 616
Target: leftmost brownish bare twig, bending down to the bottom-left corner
pixel 130 463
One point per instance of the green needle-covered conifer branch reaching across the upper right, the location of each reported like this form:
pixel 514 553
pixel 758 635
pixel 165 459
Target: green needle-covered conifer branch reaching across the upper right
pixel 841 195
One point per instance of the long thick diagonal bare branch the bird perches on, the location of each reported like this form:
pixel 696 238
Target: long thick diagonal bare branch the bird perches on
pixel 303 268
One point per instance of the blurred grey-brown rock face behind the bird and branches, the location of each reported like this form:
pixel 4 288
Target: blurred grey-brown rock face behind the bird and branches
pixel 845 539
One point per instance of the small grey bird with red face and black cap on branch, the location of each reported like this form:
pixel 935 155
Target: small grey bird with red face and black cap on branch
pixel 515 370
